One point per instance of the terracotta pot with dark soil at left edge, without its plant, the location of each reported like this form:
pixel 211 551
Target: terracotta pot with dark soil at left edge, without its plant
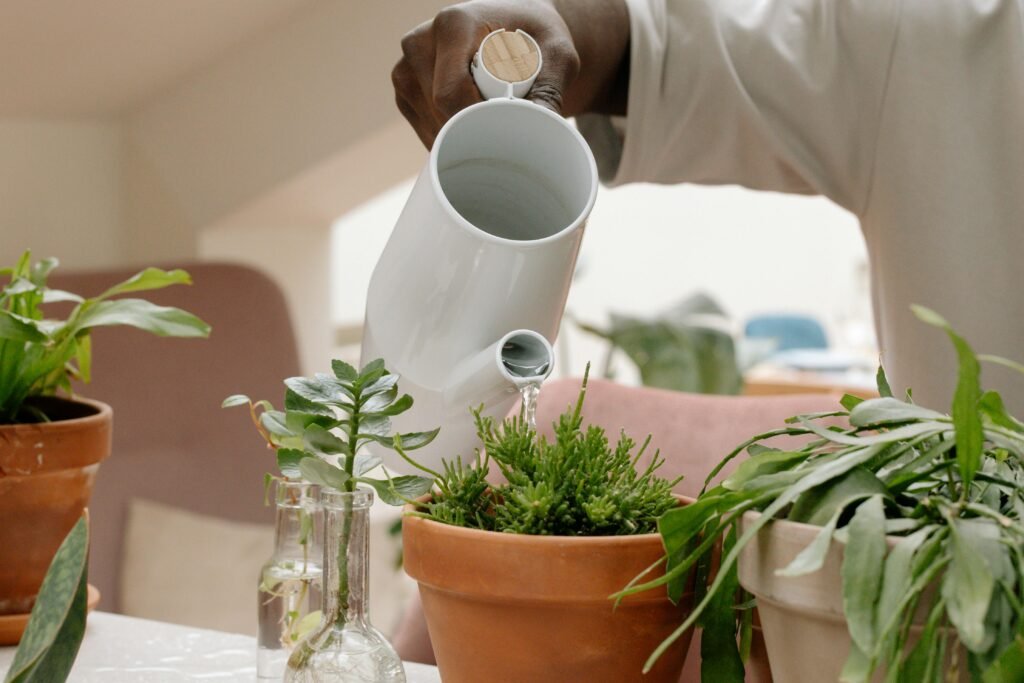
pixel 47 477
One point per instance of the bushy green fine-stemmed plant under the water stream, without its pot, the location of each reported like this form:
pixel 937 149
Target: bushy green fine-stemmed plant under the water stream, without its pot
pixel 576 485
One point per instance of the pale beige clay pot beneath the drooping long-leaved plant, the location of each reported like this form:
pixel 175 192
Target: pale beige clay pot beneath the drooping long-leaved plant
pixel 802 618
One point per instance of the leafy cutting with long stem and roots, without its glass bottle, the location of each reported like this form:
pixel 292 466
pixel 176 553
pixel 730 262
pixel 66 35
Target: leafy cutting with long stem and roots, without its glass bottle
pixel 320 438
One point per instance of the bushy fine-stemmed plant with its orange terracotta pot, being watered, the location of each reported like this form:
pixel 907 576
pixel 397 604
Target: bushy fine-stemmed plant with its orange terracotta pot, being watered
pixel 516 577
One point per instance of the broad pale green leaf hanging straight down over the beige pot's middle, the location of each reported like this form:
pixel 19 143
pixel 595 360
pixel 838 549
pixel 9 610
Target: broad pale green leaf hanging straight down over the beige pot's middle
pixel 863 568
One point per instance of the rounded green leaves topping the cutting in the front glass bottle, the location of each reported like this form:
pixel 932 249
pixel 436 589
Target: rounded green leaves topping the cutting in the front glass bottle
pixel 328 420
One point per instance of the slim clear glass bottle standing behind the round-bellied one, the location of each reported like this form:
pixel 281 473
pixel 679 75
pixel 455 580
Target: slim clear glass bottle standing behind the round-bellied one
pixel 289 590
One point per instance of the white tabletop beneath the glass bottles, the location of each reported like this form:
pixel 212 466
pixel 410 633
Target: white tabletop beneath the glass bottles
pixel 125 650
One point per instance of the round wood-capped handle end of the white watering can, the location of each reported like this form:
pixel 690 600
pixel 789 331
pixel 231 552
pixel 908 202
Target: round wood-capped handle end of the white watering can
pixel 506 64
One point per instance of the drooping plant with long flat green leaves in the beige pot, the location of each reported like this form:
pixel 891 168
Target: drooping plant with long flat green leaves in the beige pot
pixel 948 488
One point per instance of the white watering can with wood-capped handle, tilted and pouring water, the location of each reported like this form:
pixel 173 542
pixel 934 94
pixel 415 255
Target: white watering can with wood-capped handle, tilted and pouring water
pixel 470 292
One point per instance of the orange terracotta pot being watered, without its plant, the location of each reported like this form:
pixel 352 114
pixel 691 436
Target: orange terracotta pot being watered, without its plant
pixel 510 608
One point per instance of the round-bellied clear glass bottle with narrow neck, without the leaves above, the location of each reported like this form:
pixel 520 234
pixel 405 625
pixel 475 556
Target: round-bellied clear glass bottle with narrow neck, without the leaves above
pixel 346 648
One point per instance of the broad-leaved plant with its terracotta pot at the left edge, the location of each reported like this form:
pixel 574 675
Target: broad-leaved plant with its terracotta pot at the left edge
pixel 52 443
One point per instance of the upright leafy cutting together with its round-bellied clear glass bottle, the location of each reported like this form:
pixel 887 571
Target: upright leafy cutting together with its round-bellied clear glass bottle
pixel 320 439
